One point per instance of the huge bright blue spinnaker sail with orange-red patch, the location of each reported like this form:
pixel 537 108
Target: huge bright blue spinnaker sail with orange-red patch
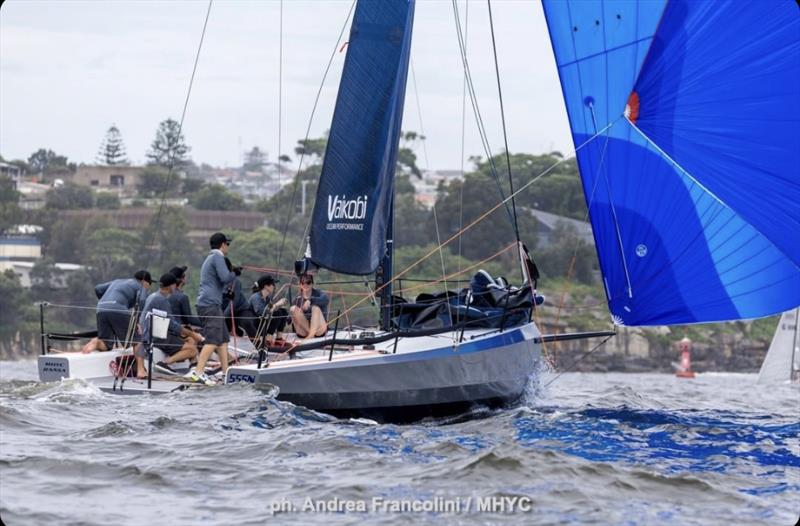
pixel 691 172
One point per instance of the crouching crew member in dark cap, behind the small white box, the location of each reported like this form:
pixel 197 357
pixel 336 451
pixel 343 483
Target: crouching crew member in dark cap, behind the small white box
pixel 181 342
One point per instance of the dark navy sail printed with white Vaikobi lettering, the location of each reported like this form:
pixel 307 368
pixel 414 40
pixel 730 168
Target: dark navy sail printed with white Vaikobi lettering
pixel 354 196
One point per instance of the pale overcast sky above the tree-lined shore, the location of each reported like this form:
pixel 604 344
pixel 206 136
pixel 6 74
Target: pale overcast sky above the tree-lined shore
pixel 69 69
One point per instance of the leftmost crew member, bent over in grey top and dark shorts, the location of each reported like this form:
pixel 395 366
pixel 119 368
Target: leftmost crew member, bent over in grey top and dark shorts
pixel 114 316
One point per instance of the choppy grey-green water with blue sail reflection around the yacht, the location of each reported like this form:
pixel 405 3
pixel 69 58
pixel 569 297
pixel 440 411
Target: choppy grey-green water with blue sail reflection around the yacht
pixel 587 449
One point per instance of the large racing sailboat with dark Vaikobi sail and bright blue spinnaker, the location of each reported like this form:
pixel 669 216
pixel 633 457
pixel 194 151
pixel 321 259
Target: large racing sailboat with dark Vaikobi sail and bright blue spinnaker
pixel 684 118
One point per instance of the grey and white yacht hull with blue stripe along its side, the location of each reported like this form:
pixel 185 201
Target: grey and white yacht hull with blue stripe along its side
pixel 426 375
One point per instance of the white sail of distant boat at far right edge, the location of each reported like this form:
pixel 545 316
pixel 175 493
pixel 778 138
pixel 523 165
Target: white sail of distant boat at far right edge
pixel 782 362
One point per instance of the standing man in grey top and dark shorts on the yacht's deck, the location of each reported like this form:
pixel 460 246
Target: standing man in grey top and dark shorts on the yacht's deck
pixel 214 275
